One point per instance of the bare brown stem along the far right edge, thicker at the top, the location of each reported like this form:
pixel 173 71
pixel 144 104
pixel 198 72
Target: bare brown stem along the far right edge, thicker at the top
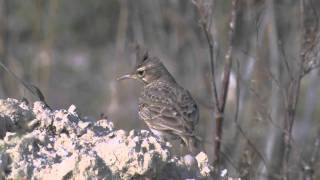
pixel 309 42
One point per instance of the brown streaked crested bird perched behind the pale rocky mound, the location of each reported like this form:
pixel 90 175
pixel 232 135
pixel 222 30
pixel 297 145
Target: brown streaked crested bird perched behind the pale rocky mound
pixel 167 108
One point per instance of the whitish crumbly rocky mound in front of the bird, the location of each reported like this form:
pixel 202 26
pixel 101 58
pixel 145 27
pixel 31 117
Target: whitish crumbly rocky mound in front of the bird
pixel 39 143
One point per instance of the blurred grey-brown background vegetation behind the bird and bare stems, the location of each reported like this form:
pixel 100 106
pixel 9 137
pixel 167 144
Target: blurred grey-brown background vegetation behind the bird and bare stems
pixel 74 50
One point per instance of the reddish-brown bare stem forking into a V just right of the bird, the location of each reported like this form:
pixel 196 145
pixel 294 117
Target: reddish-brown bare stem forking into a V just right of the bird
pixel 220 101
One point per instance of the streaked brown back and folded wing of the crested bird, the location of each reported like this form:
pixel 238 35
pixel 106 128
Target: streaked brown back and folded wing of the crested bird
pixel 165 108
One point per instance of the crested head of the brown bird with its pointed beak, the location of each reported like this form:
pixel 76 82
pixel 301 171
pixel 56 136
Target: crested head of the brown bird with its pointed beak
pixel 148 69
